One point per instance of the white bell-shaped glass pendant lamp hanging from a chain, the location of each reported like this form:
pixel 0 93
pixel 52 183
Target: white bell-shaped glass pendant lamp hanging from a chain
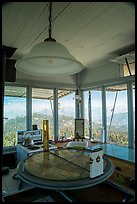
pixel 49 58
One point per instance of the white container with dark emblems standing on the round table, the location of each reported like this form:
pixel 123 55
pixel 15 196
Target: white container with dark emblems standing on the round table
pixel 96 162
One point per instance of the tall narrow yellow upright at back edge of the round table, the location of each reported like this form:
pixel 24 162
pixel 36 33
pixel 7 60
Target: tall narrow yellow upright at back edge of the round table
pixel 46 135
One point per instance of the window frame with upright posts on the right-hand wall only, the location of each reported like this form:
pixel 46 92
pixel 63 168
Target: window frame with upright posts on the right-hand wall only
pixel 129 80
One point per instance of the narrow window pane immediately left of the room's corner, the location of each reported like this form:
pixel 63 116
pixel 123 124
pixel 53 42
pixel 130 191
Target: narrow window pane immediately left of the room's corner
pixel 66 114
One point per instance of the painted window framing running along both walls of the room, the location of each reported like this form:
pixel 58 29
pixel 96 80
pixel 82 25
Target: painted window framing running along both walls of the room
pixel 129 80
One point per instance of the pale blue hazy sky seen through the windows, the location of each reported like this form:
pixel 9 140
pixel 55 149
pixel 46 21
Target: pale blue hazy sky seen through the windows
pixel 17 106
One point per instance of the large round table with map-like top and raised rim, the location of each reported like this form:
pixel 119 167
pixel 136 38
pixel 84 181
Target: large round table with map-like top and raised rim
pixel 61 169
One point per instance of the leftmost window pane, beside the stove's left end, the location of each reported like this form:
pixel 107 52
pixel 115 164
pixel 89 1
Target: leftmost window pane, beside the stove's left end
pixel 14 113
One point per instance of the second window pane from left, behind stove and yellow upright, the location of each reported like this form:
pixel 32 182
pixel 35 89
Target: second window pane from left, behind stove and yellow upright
pixel 42 109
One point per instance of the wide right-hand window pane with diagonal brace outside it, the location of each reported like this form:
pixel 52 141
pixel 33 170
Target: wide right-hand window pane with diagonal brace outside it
pixel 117 115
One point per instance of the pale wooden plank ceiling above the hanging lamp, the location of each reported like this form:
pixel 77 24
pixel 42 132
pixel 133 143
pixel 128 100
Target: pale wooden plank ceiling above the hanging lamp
pixel 93 32
